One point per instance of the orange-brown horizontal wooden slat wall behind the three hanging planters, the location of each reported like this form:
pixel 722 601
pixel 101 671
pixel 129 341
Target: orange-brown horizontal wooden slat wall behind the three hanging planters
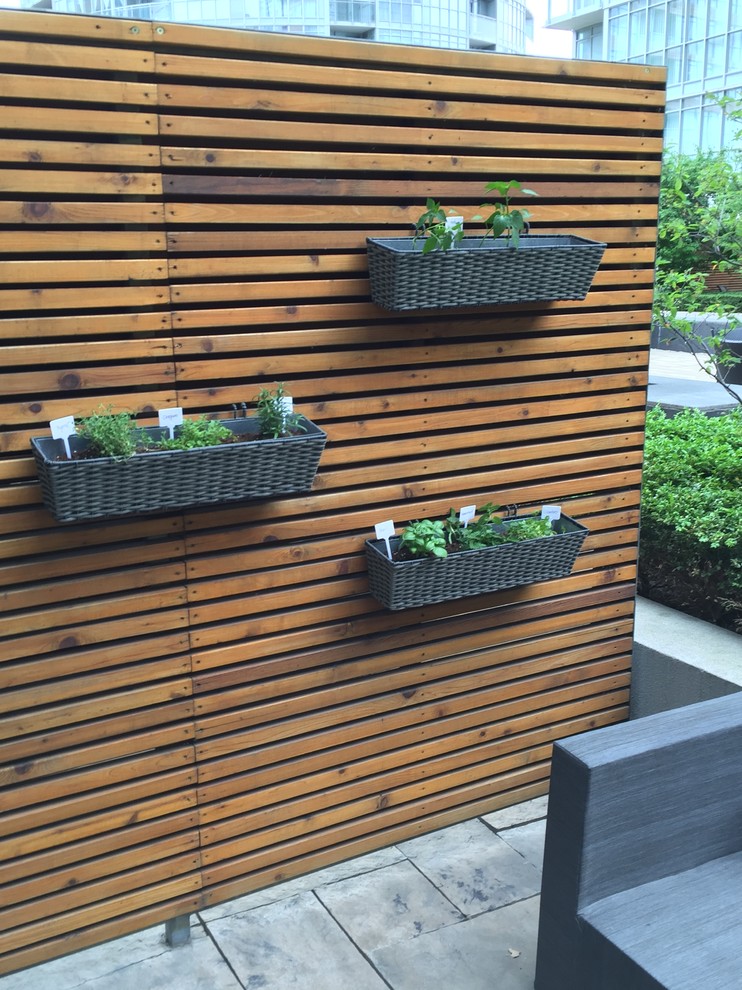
pixel 199 704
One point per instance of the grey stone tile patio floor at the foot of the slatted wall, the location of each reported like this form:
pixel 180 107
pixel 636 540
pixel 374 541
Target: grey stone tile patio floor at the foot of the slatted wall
pixel 453 910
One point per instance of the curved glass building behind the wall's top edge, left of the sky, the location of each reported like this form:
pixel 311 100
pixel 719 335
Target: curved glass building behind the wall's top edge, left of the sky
pixel 487 25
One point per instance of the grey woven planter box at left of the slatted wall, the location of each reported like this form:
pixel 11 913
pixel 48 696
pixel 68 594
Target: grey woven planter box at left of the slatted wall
pixel 101 487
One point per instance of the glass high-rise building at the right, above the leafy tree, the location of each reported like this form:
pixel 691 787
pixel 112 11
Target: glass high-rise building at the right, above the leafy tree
pixel 700 42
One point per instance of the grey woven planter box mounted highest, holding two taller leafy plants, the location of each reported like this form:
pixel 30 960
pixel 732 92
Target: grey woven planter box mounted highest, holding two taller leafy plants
pixel 481 271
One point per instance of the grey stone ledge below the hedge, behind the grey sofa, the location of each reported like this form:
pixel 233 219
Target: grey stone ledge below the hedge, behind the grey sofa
pixel 679 660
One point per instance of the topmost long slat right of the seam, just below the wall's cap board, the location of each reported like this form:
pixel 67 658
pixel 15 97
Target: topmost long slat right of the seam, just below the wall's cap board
pixel 490 84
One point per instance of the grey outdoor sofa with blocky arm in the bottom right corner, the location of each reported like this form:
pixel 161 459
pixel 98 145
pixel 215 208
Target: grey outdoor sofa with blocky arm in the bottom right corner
pixel 642 880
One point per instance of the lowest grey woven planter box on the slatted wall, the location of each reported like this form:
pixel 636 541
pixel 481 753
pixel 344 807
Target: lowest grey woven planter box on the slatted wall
pixel 408 583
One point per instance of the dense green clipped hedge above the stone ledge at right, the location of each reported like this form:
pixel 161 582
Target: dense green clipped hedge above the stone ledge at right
pixel 691 526
